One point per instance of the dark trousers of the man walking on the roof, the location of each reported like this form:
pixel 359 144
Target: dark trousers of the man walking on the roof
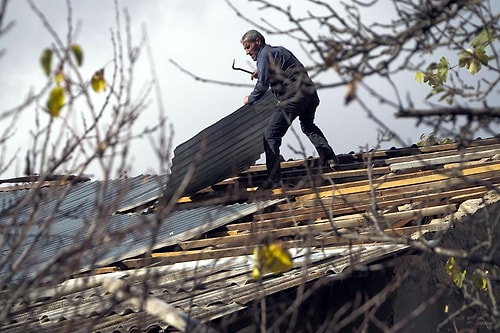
pixel 282 117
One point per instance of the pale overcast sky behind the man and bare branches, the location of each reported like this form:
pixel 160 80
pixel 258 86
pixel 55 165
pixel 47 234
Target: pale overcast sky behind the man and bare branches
pixel 204 37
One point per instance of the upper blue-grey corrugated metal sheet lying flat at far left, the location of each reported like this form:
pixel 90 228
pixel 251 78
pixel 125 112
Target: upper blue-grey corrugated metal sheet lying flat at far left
pixel 64 216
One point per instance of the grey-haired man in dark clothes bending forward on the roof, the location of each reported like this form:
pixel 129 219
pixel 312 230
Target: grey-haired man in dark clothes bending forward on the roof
pixel 280 70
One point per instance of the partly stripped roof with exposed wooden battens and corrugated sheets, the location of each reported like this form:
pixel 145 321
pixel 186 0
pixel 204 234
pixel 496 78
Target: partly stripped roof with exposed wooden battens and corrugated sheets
pixel 198 255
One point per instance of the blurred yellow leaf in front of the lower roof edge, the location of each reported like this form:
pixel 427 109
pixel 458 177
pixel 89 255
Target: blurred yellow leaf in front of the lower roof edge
pixel 272 258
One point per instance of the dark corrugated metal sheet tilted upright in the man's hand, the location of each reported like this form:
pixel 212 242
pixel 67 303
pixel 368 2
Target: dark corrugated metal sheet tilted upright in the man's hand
pixel 225 148
